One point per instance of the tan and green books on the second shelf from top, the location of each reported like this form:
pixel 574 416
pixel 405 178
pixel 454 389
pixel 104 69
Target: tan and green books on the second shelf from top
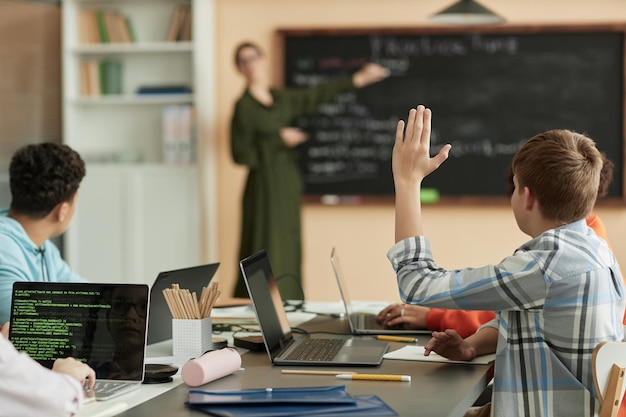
pixel 100 77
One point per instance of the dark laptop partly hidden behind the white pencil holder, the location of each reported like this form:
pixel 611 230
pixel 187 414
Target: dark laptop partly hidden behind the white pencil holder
pixel 193 279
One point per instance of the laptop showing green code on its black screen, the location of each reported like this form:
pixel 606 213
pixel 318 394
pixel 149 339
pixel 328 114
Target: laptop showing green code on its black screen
pixel 103 325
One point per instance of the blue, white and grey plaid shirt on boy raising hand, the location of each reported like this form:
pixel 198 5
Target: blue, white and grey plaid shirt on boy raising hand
pixel 556 298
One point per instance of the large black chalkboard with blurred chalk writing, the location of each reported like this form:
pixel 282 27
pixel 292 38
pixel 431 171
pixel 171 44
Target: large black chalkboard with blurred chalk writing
pixel 490 90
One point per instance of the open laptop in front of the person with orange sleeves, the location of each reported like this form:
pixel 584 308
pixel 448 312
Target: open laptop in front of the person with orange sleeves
pixel 361 322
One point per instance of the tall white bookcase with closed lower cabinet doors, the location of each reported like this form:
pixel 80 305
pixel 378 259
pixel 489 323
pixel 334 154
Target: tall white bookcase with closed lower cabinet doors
pixel 139 208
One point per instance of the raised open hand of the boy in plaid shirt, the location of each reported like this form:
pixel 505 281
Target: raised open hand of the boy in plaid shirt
pixel 411 161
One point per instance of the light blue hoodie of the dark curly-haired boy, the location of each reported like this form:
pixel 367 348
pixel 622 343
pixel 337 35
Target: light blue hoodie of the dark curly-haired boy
pixel 22 260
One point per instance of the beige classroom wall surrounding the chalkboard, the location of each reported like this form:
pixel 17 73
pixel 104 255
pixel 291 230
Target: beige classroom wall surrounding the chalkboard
pixel 460 235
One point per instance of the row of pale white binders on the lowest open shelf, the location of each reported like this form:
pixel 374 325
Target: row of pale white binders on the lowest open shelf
pixel 179 134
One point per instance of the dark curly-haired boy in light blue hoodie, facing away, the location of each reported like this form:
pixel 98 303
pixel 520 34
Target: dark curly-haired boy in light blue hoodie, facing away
pixel 44 180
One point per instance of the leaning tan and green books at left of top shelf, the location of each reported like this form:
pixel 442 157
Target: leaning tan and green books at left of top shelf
pixel 104 26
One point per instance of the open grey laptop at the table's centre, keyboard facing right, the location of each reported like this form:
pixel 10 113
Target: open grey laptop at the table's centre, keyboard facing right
pixel 281 346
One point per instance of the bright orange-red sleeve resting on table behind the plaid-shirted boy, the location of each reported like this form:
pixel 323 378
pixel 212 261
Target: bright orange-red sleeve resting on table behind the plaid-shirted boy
pixel 465 322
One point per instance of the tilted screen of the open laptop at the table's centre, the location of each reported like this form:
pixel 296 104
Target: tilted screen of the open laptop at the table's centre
pixel 267 302
